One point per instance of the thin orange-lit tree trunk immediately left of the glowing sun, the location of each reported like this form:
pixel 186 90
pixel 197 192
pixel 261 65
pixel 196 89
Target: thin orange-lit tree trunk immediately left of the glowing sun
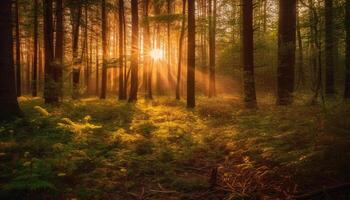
pixel 147 75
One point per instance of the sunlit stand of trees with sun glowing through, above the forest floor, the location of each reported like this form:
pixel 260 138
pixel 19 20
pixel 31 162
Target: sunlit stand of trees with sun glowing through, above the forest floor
pixel 87 44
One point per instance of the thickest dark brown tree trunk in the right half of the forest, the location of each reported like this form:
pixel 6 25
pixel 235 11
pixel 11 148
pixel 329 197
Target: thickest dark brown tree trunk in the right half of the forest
pixel 286 51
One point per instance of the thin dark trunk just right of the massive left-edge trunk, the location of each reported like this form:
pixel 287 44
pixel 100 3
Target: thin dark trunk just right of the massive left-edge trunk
pixel 18 52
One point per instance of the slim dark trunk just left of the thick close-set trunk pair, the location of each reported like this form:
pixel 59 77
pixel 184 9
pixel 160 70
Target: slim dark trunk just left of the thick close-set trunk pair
pixel 35 49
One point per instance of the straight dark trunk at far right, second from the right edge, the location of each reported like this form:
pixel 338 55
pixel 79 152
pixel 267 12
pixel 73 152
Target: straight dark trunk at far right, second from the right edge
pixel 329 48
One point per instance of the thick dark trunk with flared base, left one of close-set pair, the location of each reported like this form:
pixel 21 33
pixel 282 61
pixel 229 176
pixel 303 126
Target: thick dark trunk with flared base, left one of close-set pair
pixel 50 93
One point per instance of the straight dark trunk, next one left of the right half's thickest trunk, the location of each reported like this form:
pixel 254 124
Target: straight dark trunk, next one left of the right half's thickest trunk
pixel 248 54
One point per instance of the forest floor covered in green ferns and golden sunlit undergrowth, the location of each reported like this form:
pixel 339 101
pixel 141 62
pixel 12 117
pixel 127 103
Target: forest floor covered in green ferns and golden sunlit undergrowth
pixel 93 149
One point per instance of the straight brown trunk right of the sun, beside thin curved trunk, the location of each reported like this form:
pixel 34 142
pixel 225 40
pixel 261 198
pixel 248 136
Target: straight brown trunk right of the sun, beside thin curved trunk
pixel 191 55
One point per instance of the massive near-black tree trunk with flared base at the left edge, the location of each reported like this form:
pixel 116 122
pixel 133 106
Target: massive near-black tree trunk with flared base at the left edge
pixel 8 97
